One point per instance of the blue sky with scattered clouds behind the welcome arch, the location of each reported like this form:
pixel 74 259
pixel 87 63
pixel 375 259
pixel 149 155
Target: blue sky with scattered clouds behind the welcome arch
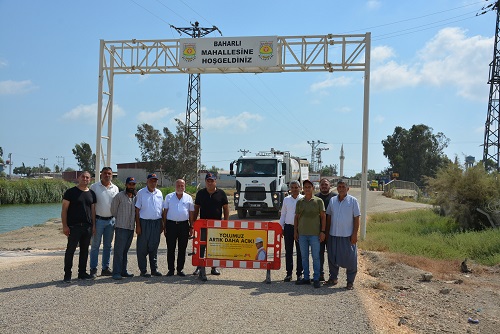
pixel 430 63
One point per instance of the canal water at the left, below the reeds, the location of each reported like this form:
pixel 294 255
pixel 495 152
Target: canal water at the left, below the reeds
pixel 13 217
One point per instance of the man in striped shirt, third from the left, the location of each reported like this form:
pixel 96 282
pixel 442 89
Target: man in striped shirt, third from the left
pixel 123 209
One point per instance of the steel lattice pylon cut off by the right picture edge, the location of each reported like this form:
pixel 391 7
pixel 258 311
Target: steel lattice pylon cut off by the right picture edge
pixel 491 145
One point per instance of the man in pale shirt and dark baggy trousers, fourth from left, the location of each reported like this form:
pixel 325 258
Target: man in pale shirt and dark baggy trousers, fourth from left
pixel 148 221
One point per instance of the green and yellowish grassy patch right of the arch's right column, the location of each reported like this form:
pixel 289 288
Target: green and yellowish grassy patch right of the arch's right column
pixel 424 233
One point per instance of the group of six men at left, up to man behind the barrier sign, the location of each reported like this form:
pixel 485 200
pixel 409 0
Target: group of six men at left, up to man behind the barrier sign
pixel 100 212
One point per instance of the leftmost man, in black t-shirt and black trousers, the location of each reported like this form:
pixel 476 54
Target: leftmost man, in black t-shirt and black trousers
pixel 78 221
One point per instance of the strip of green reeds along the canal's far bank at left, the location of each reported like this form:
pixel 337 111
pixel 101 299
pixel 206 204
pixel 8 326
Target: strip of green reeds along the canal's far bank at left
pixel 32 191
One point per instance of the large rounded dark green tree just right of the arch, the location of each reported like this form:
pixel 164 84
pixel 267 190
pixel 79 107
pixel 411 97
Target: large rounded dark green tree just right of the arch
pixel 415 153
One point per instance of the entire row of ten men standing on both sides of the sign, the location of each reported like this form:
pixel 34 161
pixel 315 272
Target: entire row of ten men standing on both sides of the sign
pixel 313 223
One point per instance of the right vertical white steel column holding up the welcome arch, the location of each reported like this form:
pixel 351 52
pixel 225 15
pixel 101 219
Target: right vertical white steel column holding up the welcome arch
pixel 366 125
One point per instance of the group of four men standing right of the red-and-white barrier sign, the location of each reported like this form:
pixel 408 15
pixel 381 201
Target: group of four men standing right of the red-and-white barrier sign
pixel 314 223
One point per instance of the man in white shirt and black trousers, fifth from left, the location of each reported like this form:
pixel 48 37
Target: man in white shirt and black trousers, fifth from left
pixel 178 209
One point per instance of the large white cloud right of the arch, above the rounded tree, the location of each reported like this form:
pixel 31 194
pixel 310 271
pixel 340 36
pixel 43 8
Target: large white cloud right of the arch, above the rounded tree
pixel 450 58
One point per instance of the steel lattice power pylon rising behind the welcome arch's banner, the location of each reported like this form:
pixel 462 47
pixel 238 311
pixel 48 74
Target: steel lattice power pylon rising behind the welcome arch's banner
pixel 192 126
